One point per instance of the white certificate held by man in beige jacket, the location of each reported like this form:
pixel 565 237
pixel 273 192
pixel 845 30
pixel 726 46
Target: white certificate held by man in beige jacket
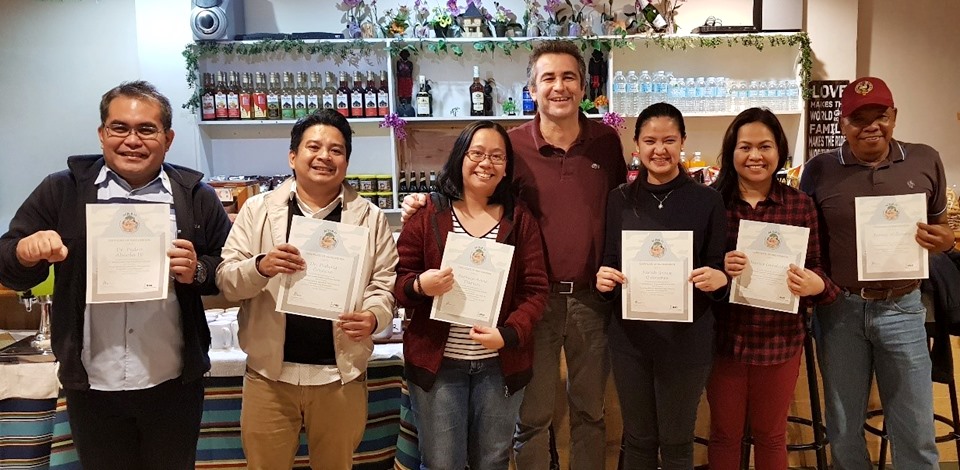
pixel 330 284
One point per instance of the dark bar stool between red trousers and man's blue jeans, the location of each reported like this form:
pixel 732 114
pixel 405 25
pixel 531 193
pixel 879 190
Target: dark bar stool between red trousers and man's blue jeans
pixel 815 422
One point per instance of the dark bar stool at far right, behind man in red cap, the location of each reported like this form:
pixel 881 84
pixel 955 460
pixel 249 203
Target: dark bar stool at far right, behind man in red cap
pixel 940 346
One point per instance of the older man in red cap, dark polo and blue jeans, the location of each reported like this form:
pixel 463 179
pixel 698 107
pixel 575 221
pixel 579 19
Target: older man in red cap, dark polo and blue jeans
pixel 875 326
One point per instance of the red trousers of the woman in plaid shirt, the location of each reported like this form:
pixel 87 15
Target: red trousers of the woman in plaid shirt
pixel 740 392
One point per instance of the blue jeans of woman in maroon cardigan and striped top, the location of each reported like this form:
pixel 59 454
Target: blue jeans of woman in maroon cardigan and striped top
pixel 466 417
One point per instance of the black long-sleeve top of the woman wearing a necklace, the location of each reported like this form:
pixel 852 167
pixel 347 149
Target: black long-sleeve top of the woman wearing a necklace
pixel 687 205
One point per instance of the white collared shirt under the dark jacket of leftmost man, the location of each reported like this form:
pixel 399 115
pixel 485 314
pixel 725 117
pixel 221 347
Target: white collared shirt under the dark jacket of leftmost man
pixel 133 345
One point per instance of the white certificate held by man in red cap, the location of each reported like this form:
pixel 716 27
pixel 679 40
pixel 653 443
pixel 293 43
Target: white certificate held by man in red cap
pixel 887 248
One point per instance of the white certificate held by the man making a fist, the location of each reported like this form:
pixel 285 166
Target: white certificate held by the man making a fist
pixel 127 252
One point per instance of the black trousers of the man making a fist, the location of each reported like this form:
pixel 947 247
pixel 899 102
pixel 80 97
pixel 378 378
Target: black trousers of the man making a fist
pixel 155 428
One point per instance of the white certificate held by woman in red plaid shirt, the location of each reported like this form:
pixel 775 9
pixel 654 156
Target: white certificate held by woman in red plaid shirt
pixel 770 249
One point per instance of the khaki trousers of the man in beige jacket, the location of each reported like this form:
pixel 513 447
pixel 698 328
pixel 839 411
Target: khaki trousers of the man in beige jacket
pixel 273 412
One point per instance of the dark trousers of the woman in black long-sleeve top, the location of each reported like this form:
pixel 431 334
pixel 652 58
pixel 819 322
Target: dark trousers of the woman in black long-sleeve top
pixel 658 402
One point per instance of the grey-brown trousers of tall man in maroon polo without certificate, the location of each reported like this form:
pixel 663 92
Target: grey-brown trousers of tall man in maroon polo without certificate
pixel 577 324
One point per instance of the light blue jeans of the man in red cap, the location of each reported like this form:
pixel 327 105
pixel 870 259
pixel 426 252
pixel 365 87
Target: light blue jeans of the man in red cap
pixel 857 338
